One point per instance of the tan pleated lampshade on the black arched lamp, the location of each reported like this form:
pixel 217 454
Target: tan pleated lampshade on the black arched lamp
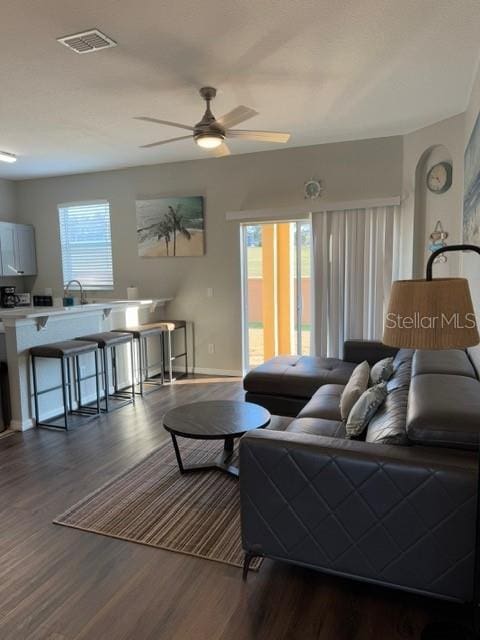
pixel 430 314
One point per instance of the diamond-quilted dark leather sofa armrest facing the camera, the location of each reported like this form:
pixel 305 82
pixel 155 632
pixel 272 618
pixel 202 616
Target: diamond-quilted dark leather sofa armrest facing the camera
pixel 400 516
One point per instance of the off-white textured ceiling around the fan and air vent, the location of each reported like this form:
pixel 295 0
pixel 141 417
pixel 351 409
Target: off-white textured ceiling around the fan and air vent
pixel 325 71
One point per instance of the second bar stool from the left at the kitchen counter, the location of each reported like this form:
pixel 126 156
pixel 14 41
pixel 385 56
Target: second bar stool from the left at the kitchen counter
pixel 107 342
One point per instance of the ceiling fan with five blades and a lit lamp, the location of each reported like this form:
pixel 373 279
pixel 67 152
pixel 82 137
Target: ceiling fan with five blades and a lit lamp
pixel 210 133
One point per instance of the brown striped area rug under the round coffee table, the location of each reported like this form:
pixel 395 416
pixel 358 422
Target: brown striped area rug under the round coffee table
pixel 151 503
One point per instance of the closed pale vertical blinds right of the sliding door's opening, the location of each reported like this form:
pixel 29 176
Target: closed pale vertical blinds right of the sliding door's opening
pixel 355 260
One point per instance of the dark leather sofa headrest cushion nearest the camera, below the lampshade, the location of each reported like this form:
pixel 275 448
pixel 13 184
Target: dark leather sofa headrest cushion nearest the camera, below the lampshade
pixel 444 410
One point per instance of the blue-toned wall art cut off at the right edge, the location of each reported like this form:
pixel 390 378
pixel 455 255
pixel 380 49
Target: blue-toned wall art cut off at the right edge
pixel 471 194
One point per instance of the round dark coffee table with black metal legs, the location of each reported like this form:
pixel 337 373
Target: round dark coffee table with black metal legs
pixel 214 420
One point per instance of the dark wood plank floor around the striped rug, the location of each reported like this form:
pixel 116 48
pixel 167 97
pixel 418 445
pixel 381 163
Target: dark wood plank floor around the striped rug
pixel 63 584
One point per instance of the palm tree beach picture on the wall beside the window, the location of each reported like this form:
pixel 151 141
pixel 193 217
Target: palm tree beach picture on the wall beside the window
pixel 170 227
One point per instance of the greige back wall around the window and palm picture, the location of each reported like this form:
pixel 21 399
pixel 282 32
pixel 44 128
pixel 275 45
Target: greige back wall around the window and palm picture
pixel 349 171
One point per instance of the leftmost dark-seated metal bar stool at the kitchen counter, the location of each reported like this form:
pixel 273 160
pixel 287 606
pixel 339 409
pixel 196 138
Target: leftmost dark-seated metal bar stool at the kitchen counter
pixel 67 353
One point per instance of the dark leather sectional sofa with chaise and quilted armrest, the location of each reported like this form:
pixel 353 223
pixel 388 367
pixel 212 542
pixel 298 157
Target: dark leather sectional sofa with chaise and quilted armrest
pixel 397 508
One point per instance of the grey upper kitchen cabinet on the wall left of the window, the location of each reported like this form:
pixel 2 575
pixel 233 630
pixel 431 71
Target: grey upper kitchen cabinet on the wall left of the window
pixel 17 250
